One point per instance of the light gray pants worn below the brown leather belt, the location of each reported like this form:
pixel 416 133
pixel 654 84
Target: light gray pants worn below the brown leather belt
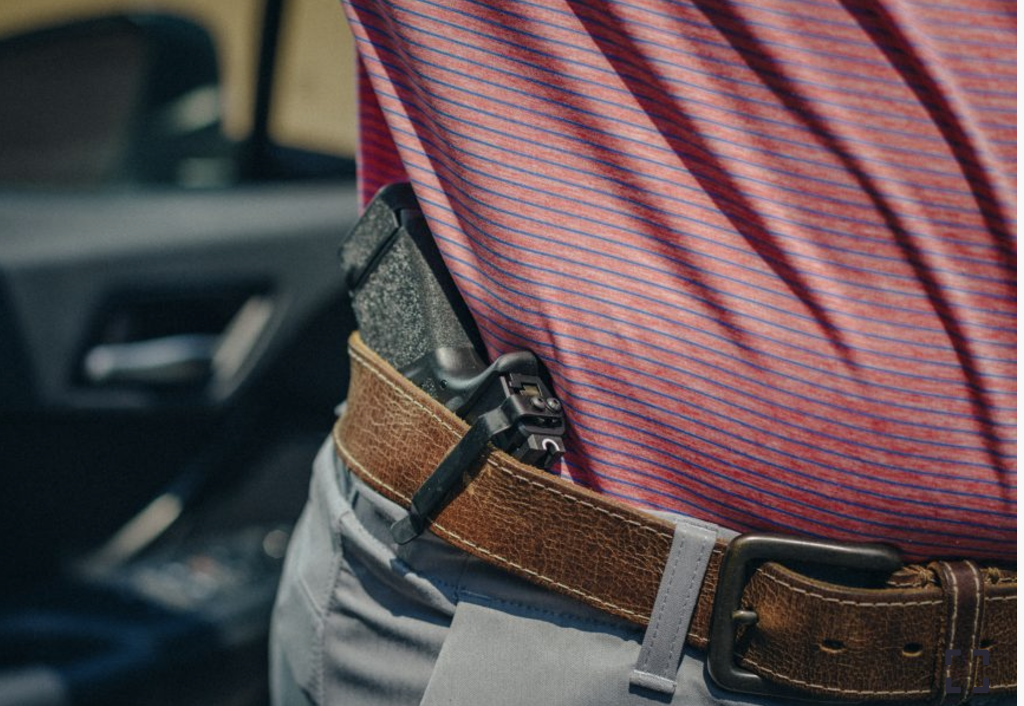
pixel 363 622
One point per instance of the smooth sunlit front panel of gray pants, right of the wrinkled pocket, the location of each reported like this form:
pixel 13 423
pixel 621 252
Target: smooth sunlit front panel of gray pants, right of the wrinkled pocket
pixel 524 648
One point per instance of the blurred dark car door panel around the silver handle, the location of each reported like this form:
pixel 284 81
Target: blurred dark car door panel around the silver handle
pixel 81 458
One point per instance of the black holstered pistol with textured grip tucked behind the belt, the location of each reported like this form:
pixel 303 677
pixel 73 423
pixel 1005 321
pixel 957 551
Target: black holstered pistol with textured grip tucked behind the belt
pixel 410 312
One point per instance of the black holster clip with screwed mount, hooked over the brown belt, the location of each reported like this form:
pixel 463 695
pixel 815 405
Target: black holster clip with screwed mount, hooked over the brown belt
pixel 522 419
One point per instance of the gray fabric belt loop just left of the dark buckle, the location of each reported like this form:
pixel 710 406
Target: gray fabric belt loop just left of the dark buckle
pixel 658 666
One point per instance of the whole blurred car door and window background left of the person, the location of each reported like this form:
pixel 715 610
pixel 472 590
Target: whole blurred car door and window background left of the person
pixel 176 177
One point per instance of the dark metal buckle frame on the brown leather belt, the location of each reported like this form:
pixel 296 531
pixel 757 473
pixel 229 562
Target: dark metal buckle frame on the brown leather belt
pixel 742 559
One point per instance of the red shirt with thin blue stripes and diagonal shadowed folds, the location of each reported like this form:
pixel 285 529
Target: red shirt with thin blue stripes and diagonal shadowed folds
pixel 767 248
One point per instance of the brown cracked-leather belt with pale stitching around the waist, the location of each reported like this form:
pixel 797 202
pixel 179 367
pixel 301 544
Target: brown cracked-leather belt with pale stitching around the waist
pixel 809 638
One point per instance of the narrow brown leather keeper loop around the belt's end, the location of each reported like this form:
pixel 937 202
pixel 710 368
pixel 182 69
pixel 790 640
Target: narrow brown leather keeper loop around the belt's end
pixel 964 593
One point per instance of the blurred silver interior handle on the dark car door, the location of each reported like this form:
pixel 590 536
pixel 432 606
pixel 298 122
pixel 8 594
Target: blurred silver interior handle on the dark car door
pixel 181 360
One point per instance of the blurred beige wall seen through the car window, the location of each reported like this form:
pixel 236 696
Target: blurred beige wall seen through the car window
pixel 315 99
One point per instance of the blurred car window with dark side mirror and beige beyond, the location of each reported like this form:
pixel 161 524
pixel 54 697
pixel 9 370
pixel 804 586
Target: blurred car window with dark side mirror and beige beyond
pixel 167 96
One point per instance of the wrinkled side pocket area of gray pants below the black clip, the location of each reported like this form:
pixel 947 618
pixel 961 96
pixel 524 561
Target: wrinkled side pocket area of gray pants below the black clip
pixel 389 611
